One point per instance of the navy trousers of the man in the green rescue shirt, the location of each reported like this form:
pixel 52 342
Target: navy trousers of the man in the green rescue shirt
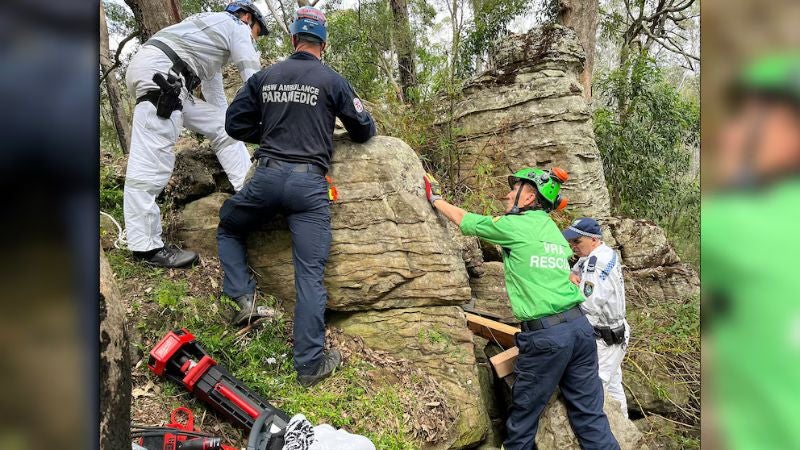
pixel 565 356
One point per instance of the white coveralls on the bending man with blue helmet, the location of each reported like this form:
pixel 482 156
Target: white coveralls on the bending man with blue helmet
pixel 206 42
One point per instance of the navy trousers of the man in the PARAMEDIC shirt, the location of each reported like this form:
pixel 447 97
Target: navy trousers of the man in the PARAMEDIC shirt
pixel 303 198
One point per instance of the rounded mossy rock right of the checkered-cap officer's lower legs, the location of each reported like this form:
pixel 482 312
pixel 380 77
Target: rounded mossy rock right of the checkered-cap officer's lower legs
pixel 649 387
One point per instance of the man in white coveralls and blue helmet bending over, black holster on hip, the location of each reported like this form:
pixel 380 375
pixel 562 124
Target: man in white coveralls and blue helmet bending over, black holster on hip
pixel 162 76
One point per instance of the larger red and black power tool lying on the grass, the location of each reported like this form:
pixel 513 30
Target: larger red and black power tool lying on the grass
pixel 179 357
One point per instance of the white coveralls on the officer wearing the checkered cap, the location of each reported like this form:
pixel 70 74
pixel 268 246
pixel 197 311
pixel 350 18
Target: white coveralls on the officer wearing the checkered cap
pixel 603 286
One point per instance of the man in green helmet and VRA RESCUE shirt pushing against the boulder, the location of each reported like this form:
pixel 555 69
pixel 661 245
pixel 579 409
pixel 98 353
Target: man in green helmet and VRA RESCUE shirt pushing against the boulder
pixel 556 345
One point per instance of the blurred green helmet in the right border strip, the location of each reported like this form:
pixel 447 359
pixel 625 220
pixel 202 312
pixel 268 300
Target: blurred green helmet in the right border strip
pixel 777 74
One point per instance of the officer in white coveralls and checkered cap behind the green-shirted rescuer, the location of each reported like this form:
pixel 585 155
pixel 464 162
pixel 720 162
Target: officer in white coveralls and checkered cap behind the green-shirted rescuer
pixel 599 277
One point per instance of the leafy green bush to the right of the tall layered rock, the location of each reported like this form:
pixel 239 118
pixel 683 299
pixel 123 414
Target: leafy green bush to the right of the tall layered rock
pixel 646 131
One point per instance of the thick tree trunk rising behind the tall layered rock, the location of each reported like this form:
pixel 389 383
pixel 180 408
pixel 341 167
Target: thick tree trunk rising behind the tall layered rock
pixel 581 16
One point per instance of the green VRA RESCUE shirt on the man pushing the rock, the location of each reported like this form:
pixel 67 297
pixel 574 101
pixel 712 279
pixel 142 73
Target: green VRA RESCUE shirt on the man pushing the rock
pixel 535 259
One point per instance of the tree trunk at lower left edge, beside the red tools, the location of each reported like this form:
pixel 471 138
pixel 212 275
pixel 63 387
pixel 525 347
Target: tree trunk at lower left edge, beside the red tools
pixel 115 365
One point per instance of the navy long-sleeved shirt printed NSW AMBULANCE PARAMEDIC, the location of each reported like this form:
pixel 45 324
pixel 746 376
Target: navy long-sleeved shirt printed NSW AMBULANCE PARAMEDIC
pixel 290 109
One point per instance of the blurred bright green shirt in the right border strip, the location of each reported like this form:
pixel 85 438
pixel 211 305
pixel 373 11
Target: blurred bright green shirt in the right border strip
pixel 749 246
